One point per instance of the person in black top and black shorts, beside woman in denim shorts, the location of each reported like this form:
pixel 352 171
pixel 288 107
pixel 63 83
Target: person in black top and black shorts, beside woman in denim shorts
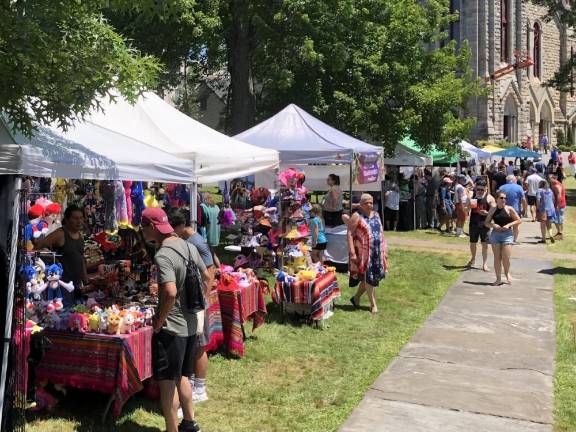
pixel 480 204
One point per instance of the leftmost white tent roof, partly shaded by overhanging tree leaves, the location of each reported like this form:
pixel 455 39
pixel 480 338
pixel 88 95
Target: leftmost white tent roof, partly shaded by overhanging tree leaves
pixel 87 151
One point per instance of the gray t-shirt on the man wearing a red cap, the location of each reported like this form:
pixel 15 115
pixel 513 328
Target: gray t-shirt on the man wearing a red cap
pixel 172 268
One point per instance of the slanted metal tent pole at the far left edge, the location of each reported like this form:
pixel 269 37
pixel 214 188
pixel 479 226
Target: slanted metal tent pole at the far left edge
pixel 10 290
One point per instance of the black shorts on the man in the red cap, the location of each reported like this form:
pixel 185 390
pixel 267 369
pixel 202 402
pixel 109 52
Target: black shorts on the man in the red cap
pixel 172 356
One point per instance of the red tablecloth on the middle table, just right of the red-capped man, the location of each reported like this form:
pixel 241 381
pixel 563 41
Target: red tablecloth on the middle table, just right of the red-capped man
pixel 238 304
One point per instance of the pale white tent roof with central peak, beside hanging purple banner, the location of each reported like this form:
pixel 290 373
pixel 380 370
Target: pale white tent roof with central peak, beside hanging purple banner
pixel 303 139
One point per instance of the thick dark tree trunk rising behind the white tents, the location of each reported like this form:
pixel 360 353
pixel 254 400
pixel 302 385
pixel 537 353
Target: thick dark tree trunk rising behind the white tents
pixel 242 111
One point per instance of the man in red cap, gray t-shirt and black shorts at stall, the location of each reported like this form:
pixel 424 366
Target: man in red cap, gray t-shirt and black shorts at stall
pixel 175 324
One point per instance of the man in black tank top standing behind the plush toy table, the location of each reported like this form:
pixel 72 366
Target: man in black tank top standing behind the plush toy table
pixel 68 242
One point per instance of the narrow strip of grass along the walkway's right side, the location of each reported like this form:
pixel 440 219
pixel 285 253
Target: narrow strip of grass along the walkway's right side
pixel 565 375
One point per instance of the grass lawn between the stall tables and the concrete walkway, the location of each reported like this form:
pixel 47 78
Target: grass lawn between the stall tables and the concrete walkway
pixel 295 377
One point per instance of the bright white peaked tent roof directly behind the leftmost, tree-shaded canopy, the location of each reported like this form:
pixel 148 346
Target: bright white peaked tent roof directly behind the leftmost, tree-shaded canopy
pixel 216 156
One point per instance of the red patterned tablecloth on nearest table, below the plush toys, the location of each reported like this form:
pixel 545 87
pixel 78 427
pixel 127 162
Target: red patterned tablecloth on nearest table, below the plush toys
pixel 110 364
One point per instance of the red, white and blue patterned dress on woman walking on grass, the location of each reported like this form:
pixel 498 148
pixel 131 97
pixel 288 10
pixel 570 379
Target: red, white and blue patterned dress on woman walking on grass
pixel 370 247
